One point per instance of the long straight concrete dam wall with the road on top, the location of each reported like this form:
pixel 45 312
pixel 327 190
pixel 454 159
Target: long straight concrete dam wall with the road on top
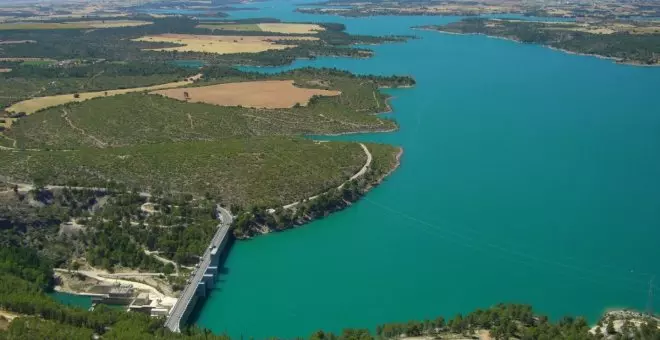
pixel 203 277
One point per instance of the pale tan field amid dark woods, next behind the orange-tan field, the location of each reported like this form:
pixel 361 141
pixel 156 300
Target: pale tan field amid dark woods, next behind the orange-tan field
pixel 221 44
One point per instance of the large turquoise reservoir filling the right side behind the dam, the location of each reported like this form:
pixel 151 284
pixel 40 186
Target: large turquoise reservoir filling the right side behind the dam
pixel 529 176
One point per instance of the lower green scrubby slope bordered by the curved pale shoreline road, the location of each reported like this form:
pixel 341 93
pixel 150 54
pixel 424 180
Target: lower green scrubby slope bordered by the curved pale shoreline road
pixel 266 169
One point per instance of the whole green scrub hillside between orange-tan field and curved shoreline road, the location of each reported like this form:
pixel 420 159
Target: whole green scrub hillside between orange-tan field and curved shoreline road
pixel 152 142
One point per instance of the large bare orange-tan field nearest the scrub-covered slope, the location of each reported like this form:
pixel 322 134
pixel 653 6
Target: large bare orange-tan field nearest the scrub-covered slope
pixel 271 94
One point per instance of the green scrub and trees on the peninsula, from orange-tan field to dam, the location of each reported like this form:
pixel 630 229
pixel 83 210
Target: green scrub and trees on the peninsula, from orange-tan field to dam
pixel 248 159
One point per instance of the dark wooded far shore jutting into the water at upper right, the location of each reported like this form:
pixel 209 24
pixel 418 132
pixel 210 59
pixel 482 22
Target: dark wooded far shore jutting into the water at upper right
pixel 605 39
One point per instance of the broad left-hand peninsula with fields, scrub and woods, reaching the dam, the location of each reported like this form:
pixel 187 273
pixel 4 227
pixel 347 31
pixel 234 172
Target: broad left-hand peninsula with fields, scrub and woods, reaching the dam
pixel 117 155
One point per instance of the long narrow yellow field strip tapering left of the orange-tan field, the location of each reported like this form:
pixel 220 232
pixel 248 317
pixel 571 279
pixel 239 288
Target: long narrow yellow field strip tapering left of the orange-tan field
pixel 35 104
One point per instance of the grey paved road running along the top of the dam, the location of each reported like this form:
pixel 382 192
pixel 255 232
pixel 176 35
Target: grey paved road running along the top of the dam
pixel 175 316
